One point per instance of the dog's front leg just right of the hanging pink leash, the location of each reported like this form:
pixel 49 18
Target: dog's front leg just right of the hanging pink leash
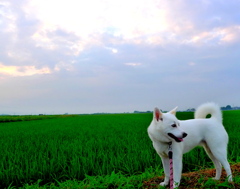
pixel 177 169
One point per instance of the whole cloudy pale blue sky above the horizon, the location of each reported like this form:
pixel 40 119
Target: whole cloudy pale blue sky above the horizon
pixel 78 56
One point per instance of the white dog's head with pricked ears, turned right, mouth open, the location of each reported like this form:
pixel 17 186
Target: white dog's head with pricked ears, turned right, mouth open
pixel 168 125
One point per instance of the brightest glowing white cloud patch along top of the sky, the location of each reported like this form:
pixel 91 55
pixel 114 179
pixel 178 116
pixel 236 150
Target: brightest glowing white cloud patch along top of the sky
pixel 130 20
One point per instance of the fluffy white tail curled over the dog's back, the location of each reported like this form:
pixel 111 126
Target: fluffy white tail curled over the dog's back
pixel 208 108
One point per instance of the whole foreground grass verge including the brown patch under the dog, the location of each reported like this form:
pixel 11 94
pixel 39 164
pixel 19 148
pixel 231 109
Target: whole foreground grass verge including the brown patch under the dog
pixel 148 180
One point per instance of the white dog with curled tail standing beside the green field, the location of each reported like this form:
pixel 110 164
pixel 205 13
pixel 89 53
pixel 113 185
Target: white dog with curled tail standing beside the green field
pixel 185 135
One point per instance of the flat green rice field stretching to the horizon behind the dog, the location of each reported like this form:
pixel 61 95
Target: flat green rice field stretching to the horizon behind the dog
pixel 61 148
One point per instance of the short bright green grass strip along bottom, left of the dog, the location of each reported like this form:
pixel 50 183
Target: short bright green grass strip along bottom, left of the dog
pixel 115 180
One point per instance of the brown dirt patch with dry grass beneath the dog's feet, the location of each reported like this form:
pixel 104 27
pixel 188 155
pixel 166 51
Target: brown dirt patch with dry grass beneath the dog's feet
pixel 199 179
